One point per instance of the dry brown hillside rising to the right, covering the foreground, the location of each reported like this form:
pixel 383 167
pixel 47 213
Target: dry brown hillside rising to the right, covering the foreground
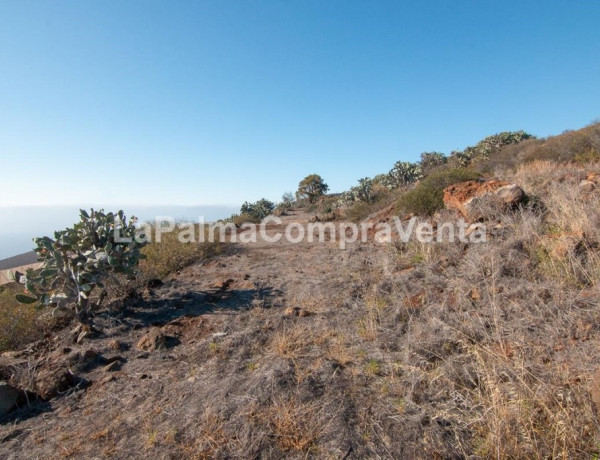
pixel 379 350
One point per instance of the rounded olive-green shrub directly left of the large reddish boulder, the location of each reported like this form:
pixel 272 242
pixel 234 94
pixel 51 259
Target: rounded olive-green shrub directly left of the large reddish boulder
pixel 428 196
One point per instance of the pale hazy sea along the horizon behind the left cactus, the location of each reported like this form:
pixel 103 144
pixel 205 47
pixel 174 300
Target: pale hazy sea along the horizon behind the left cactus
pixel 19 224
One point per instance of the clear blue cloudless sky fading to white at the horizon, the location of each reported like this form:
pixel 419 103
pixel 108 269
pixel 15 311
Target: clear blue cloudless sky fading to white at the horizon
pixel 218 102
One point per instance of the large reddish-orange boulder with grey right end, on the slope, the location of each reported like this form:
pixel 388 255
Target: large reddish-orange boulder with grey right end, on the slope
pixel 466 197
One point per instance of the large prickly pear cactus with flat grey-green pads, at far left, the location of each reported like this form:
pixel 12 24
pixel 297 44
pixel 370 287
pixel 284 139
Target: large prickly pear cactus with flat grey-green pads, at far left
pixel 80 259
